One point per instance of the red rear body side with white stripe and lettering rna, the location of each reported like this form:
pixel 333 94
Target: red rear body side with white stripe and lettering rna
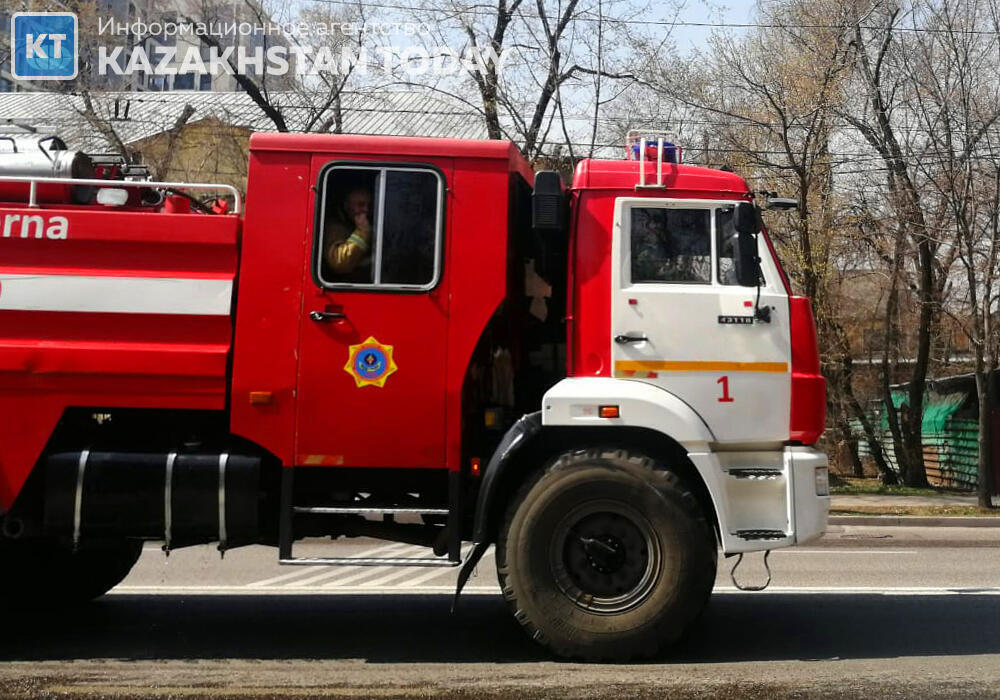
pixel 115 309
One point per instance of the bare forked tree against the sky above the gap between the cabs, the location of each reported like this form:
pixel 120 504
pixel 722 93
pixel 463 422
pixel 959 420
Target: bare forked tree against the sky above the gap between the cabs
pixel 557 64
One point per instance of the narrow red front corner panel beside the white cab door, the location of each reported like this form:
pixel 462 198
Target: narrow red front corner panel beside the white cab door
pixel 808 384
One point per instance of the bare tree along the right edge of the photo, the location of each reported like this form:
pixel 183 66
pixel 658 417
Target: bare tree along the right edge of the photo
pixel 955 74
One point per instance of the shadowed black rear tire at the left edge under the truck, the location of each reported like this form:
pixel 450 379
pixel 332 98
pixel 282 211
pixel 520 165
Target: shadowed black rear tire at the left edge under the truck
pixel 37 573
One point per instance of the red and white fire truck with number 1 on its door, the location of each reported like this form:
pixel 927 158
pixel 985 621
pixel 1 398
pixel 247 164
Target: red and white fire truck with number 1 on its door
pixel 412 339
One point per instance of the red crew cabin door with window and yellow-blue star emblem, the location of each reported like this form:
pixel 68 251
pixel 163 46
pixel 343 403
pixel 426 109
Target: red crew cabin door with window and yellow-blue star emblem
pixel 371 381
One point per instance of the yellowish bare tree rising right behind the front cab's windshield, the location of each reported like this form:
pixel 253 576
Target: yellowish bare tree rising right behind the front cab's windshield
pixel 767 102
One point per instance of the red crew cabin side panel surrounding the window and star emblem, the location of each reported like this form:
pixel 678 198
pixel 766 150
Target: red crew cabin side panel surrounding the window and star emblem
pixel 308 409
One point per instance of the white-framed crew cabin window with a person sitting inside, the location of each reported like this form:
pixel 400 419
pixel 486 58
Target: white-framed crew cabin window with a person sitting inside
pixel 380 227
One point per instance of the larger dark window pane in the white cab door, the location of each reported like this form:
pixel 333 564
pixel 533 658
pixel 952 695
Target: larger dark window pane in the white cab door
pixel 671 245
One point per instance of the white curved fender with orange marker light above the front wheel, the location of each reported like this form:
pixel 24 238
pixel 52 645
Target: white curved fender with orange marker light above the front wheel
pixel 575 401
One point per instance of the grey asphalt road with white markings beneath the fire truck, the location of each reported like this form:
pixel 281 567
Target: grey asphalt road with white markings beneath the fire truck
pixel 867 612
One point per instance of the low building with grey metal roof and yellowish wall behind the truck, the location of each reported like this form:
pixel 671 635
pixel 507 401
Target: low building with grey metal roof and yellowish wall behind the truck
pixel 211 144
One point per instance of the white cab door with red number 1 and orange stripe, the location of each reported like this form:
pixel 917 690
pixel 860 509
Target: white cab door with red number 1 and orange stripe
pixel 681 321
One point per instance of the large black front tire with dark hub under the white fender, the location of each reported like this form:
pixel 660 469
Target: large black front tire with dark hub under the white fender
pixel 613 596
